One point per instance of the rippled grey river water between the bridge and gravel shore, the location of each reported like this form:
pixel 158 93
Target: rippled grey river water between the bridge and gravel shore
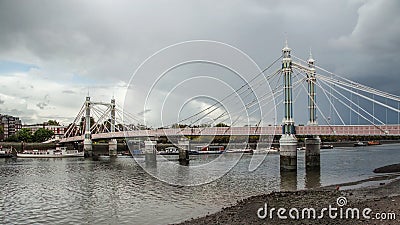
pixel 119 191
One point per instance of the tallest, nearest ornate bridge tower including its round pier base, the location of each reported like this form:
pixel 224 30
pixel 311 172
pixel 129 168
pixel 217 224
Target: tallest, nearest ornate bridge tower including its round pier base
pixel 288 141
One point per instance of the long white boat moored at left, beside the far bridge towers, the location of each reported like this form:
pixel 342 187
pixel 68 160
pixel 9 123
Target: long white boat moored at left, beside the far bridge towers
pixel 59 152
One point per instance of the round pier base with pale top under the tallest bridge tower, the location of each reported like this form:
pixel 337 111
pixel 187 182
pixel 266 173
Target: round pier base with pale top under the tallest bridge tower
pixel 288 152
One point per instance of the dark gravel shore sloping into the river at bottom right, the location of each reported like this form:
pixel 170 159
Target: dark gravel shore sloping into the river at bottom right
pixel 383 200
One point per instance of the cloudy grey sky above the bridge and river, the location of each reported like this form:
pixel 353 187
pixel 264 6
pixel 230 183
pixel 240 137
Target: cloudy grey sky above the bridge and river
pixel 53 53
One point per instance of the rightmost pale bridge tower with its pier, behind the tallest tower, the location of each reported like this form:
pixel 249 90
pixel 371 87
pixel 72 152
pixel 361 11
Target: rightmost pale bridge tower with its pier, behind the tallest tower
pixel 312 144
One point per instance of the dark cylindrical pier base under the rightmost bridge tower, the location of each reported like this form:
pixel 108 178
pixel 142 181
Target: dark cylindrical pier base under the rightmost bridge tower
pixel 313 146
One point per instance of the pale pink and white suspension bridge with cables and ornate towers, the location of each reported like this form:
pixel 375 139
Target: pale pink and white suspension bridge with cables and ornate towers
pixel 343 107
